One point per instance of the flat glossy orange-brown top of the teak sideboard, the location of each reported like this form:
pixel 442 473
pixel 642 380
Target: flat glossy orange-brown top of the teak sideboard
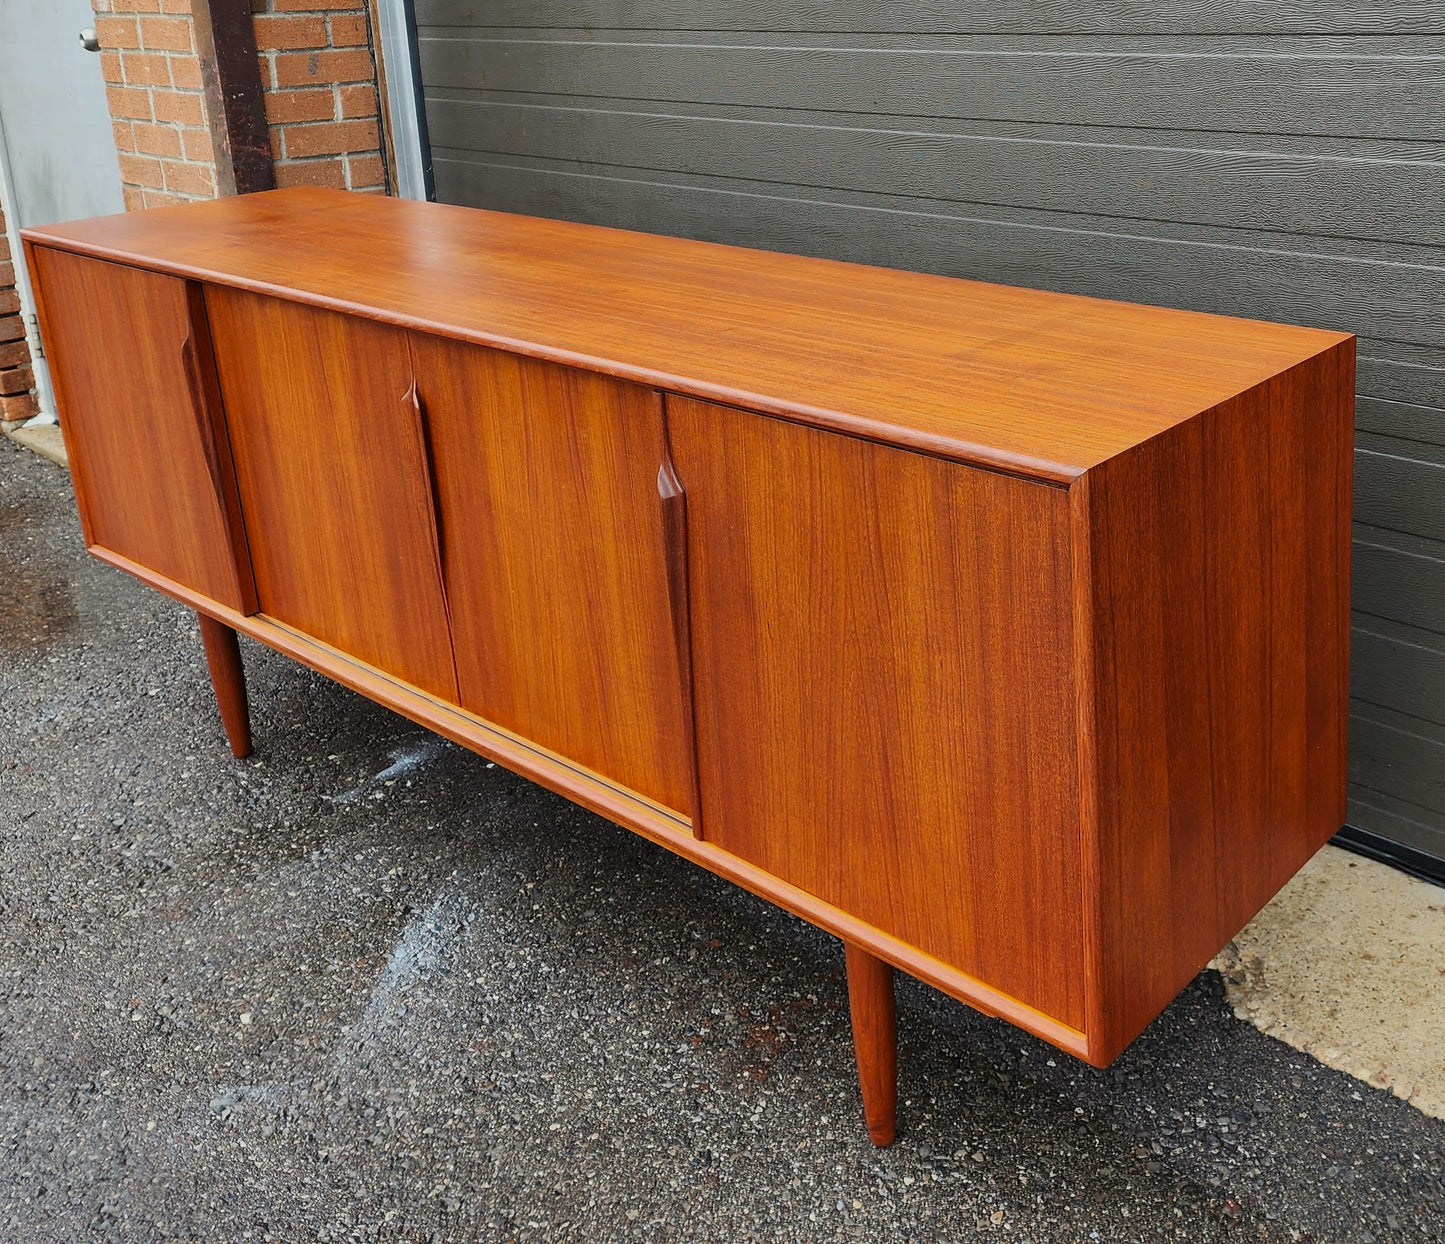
pixel 1043 385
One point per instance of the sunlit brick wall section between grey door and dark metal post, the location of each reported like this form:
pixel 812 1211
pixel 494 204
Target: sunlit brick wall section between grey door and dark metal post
pixel 157 102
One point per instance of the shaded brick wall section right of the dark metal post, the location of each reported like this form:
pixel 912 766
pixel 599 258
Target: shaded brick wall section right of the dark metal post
pixel 319 73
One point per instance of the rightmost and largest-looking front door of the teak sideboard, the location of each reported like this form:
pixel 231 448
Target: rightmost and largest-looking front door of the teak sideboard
pixel 885 690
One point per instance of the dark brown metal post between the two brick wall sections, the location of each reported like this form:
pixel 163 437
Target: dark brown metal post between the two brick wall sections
pixel 235 100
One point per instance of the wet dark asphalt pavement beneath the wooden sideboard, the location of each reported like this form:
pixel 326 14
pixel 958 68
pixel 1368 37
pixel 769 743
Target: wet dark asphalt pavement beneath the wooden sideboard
pixel 368 986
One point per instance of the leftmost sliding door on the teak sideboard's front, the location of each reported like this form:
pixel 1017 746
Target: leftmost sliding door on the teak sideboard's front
pixel 132 365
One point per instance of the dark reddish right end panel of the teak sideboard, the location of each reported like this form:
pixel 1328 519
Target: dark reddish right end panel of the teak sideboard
pixel 1220 629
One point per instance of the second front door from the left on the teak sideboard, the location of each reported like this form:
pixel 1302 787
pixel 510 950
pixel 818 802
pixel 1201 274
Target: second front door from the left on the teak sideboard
pixel 335 483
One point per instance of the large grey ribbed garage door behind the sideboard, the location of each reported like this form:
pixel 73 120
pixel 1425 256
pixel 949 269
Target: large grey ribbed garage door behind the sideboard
pixel 1280 161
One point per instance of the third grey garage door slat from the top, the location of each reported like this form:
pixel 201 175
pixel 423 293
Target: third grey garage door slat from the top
pixel 1191 178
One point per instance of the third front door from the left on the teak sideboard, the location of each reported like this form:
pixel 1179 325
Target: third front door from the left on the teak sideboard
pixel 553 544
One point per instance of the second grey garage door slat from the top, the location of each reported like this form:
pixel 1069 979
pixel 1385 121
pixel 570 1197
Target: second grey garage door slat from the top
pixel 1389 90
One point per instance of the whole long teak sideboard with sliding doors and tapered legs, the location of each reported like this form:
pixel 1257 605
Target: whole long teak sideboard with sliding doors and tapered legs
pixel 1001 634
